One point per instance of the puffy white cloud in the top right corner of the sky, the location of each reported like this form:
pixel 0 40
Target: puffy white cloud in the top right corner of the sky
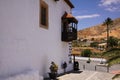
pixel 110 5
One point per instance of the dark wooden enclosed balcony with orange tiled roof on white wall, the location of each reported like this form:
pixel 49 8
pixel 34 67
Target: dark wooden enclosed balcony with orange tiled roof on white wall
pixel 69 27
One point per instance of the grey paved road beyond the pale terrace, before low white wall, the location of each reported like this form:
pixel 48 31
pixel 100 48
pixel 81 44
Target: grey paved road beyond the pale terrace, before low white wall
pixel 95 65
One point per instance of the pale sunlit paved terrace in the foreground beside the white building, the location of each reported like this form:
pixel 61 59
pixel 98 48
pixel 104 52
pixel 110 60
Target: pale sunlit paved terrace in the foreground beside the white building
pixel 87 75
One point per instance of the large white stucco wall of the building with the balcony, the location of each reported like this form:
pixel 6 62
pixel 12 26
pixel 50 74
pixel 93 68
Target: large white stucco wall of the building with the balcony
pixel 25 45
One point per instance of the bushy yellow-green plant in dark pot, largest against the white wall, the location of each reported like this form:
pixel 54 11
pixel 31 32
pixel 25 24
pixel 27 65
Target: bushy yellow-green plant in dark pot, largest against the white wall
pixel 53 70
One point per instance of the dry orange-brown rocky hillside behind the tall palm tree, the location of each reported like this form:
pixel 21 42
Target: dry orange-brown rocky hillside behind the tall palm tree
pixel 99 31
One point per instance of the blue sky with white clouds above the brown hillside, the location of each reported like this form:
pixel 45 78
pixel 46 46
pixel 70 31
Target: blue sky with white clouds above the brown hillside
pixel 92 12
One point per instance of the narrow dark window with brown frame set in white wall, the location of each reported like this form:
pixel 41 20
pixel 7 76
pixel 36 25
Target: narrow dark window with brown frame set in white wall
pixel 43 14
